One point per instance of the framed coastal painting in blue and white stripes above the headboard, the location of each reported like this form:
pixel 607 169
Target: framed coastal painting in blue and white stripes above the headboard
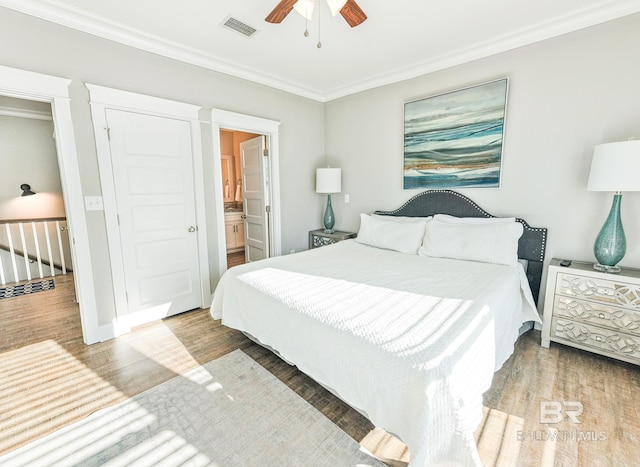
pixel 455 140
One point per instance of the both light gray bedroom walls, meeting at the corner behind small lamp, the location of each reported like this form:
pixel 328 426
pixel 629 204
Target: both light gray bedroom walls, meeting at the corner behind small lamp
pixel 566 95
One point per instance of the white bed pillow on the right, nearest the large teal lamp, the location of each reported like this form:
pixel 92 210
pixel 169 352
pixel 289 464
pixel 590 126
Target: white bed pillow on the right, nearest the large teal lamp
pixel 485 242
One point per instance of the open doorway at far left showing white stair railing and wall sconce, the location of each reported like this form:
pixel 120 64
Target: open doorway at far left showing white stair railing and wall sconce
pixel 34 241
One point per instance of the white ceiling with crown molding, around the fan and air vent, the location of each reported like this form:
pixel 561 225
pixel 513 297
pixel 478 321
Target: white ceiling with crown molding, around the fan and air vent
pixel 400 39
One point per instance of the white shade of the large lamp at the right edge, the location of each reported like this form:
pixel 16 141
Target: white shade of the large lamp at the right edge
pixel 615 167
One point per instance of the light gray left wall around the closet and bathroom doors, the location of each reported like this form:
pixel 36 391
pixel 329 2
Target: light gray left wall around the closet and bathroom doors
pixel 48 48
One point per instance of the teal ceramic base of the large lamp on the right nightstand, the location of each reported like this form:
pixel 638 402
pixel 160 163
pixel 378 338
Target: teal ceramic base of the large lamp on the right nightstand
pixel 611 243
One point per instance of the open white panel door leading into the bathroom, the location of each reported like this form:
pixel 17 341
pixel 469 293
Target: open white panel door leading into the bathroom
pixel 255 184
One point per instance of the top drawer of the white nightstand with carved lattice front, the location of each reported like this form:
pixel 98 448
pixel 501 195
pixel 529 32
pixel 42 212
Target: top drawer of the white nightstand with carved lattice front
pixel 610 291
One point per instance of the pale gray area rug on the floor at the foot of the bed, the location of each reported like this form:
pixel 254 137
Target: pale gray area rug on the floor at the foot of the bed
pixel 228 412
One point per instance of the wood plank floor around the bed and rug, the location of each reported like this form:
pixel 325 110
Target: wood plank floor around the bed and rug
pixel 49 378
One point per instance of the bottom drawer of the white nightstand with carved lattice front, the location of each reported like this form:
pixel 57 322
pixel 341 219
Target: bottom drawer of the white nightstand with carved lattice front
pixel 603 340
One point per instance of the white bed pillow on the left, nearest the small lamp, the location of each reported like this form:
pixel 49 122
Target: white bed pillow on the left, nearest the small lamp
pixel 405 237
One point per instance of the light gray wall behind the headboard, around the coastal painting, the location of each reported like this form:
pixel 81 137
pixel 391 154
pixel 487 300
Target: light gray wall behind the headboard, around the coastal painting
pixel 566 95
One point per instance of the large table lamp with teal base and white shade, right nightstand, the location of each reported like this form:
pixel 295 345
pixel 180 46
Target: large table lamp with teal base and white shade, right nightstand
pixel 614 167
